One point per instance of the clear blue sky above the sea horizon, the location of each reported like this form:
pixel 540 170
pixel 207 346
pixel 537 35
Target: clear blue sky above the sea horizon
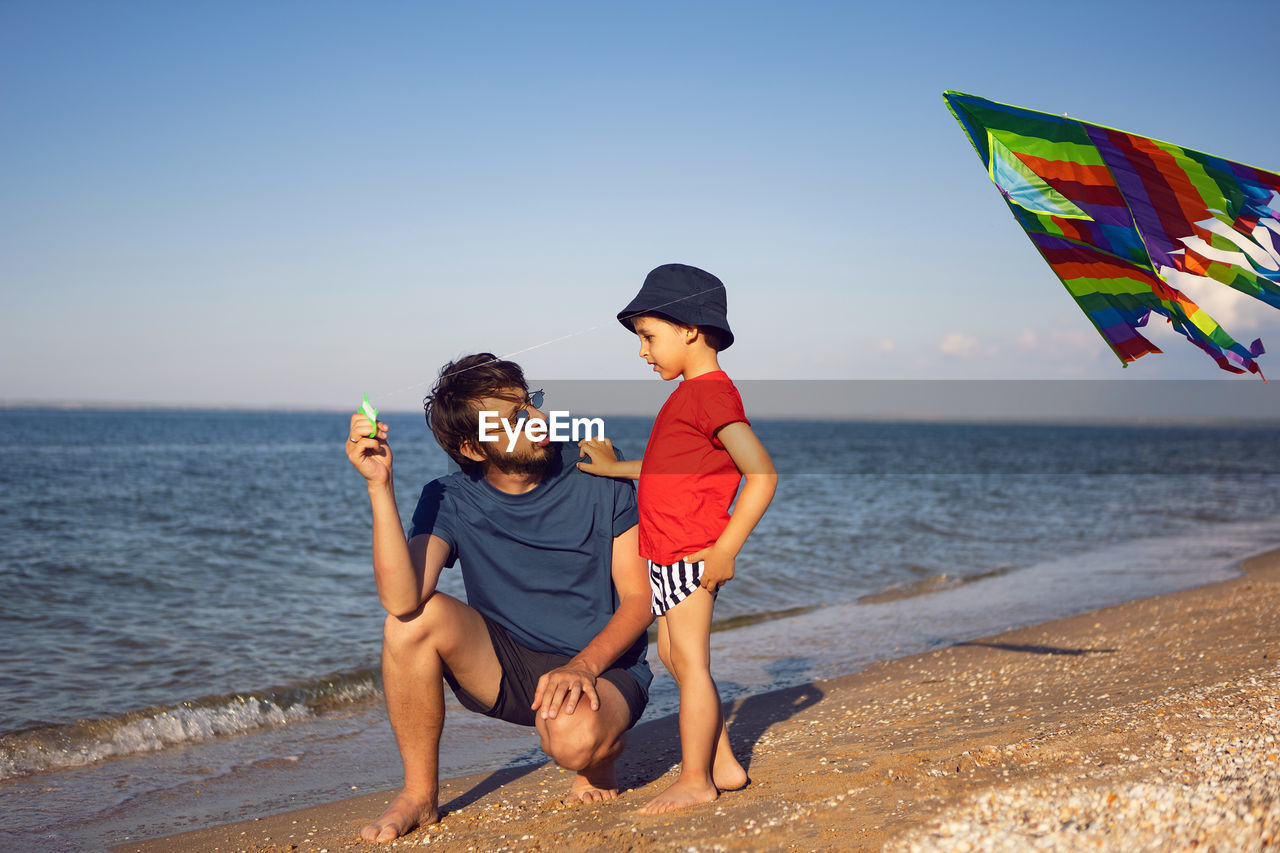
pixel 291 204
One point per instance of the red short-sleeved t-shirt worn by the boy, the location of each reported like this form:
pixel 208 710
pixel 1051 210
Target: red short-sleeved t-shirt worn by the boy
pixel 688 480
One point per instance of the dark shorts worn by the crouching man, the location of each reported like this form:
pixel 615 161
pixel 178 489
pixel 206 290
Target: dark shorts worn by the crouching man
pixel 522 668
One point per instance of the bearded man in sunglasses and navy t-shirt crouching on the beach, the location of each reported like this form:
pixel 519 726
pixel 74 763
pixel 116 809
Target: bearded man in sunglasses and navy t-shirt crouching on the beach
pixel 554 632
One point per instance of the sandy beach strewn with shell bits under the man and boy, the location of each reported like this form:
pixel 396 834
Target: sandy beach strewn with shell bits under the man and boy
pixel 1149 726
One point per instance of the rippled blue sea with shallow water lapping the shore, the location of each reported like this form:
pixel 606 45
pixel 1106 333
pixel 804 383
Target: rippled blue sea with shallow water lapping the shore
pixel 190 632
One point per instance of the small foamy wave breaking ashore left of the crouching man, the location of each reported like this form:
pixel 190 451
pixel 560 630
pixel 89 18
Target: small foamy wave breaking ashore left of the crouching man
pixel 54 747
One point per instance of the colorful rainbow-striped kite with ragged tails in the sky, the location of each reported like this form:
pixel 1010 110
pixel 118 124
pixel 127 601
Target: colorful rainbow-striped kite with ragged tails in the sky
pixel 1114 215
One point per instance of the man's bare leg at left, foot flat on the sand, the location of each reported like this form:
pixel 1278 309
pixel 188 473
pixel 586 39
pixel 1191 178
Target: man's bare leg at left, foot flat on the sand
pixel 417 650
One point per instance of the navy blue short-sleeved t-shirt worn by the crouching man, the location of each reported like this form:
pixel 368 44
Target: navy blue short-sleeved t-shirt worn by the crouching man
pixel 540 564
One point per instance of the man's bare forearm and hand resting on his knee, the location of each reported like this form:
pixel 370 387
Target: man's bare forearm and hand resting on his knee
pixel 564 687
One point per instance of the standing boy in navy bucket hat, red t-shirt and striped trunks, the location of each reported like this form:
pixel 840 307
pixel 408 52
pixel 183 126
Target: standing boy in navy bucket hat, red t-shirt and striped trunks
pixel 701 448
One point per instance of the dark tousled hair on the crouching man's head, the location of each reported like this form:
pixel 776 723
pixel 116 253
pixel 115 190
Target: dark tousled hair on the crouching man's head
pixel 454 404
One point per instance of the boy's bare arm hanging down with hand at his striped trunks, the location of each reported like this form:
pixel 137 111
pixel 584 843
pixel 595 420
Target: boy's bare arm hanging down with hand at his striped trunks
pixel 762 481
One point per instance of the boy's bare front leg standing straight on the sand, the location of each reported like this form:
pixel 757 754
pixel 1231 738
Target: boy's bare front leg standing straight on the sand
pixel 702 726
